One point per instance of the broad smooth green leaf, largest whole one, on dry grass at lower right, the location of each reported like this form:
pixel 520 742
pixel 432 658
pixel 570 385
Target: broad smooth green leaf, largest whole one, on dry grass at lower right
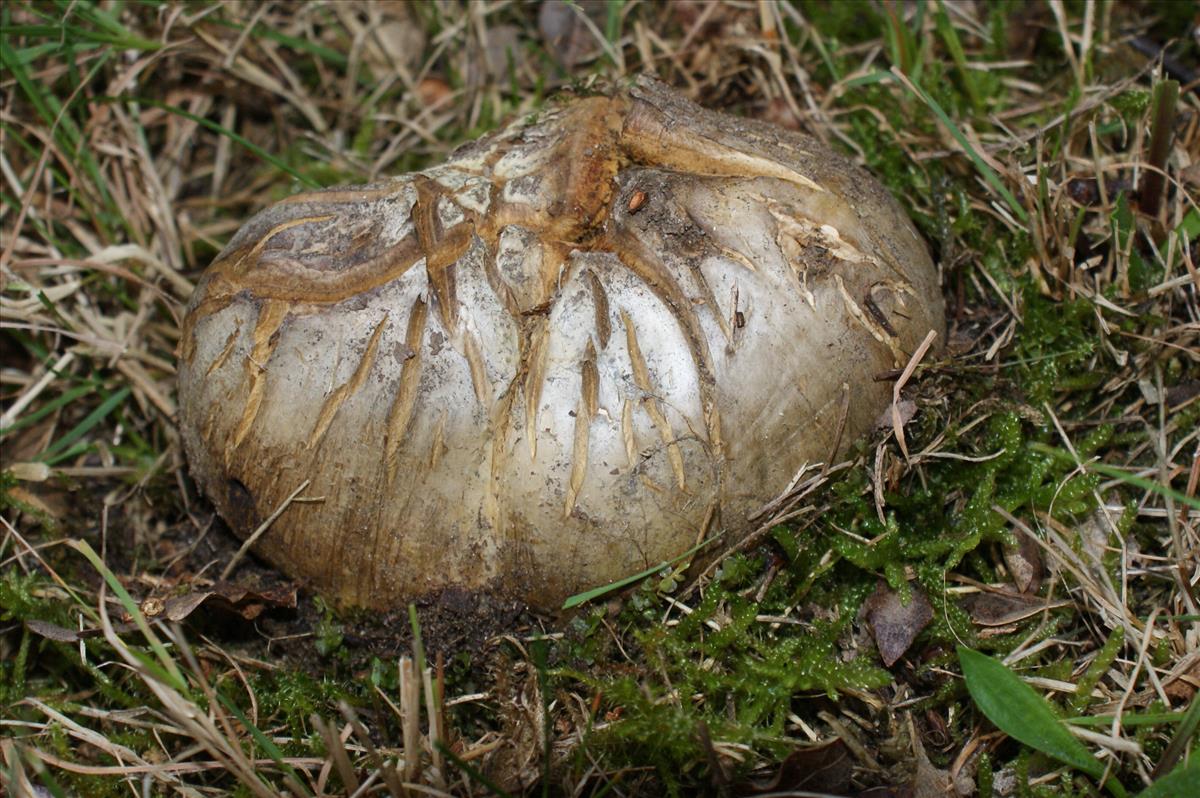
pixel 1018 711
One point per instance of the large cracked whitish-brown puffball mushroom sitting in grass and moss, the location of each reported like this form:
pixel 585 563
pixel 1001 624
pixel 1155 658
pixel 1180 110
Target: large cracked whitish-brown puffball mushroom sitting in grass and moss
pixel 579 347
